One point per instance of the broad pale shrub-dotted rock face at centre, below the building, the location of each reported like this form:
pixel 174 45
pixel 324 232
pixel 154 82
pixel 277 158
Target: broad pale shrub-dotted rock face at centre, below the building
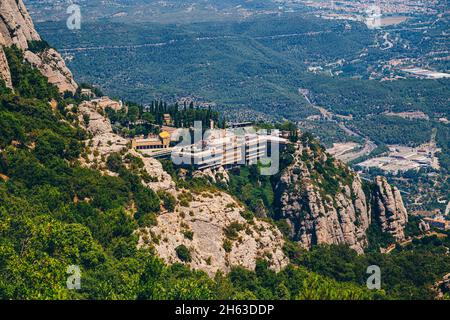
pixel 213 247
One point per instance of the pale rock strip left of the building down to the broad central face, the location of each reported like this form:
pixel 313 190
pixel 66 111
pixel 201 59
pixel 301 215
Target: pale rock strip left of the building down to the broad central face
pixel 207 215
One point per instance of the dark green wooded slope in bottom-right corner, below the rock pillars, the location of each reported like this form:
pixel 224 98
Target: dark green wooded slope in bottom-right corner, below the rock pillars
pixel 407 273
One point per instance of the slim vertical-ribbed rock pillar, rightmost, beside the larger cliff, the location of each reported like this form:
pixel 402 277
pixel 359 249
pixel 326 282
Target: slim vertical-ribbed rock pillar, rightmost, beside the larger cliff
pixel 389 209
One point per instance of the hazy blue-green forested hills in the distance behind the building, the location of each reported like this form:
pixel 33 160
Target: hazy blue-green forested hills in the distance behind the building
pixel 256 57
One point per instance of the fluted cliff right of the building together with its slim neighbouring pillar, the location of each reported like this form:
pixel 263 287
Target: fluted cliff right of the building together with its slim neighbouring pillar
pixel 325 203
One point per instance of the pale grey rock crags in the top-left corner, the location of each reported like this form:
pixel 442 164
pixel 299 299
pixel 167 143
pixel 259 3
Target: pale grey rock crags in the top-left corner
pixel 16 28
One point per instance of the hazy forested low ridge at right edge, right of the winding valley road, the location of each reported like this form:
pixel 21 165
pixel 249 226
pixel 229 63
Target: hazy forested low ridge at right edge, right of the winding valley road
pixel 364 97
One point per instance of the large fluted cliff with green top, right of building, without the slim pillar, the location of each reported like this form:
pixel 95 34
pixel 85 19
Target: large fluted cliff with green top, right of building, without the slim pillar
pixel 315 216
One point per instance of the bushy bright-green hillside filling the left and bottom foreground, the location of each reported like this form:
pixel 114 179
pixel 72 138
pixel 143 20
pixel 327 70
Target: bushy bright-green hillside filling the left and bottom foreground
pixel 54 213
